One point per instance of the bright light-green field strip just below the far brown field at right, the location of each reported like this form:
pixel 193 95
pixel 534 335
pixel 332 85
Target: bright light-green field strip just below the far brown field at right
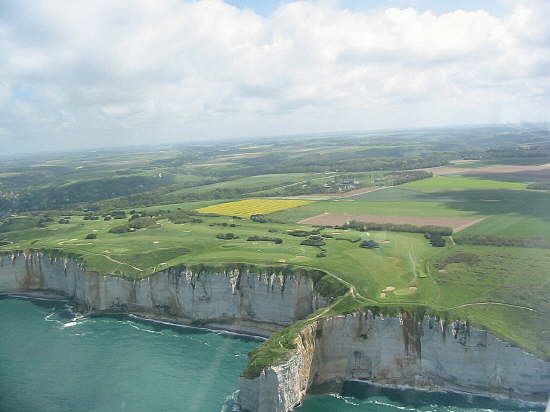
pixel 461 183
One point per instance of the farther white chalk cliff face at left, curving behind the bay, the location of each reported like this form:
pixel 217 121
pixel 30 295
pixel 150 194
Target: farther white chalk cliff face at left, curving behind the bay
pixel 242 299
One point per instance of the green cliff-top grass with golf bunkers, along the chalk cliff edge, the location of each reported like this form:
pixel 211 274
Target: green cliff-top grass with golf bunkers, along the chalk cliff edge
pixel 503 289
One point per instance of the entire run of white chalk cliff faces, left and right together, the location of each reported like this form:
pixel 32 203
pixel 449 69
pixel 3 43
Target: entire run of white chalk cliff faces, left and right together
pixel 420 352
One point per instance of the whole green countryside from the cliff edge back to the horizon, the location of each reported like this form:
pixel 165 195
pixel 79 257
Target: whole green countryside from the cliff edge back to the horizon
pixel 195 204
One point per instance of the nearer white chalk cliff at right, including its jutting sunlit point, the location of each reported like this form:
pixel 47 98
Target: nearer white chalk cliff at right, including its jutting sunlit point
pixel 421 353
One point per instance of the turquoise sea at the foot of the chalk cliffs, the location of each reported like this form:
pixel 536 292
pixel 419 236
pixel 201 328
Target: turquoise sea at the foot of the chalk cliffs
pixel 49 363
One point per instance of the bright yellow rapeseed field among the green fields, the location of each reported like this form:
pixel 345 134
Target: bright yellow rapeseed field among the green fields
pixel 249 207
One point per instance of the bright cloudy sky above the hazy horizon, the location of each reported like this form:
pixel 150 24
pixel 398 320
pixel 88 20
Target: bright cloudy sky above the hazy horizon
pixel 78 74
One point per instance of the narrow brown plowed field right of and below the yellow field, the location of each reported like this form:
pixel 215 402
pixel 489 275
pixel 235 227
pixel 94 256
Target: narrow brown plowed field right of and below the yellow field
pixel 330 219
